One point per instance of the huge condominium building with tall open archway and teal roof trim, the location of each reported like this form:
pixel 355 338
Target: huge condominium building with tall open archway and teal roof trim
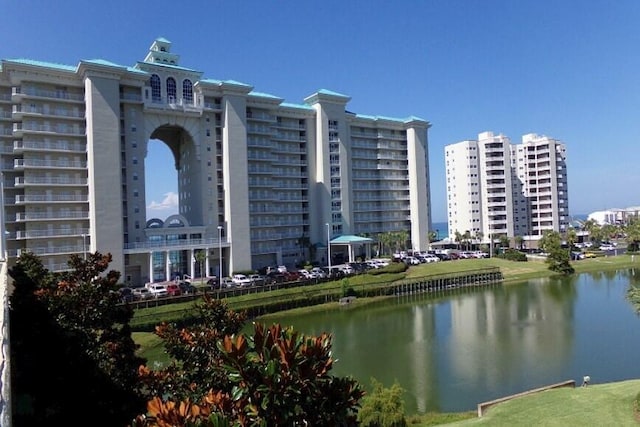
pixel 260 181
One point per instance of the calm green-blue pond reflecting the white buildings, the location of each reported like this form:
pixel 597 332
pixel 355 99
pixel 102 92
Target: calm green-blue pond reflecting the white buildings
pixel 452 352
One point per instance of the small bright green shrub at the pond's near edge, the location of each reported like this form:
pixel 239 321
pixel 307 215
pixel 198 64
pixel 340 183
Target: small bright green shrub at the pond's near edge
pixel 383 407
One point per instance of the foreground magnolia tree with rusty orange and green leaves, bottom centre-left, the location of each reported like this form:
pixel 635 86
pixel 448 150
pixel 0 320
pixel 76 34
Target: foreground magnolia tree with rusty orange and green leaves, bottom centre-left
pixel 278 377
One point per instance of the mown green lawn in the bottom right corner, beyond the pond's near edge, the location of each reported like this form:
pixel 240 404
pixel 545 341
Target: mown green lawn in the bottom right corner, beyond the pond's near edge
pixel 608 404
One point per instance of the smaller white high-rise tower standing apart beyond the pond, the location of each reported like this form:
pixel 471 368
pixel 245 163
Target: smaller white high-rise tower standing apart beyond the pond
pixel 495 188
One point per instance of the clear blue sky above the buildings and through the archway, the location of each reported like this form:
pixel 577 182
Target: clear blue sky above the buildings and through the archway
pixel 565 69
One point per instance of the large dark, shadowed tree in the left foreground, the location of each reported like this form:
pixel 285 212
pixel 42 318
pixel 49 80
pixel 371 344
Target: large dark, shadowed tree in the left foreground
pixel 71 346
